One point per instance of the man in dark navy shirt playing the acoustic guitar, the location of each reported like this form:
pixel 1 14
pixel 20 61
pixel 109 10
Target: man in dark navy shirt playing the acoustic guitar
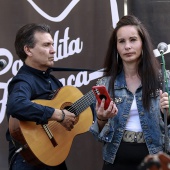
pixel 34 46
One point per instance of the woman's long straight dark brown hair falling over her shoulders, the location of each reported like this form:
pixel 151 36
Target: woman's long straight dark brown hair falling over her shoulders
pixel 148 68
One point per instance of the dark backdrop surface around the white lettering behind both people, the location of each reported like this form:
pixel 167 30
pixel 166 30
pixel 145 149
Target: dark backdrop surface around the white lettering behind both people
pixel 91 21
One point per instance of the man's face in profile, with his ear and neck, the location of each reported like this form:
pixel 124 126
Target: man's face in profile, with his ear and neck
pixel 42 55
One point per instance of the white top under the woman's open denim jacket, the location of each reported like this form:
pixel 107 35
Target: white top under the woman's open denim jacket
pixel 133 122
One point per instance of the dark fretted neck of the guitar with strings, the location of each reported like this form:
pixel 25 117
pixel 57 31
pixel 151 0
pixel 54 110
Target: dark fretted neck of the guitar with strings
pixel 83 103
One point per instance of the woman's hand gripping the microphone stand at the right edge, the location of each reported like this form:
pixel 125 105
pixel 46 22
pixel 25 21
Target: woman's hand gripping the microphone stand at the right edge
pixel 164 102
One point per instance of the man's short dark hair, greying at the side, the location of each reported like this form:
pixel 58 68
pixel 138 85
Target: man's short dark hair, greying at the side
pixel 25 36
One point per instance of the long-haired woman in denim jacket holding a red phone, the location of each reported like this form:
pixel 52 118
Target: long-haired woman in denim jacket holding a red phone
pixel 130 128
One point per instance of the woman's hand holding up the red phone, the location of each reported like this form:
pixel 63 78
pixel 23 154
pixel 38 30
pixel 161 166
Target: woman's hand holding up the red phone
pixel 110 112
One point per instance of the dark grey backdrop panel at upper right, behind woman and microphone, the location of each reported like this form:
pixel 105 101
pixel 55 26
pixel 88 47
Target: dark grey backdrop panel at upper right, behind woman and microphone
pixel 155 14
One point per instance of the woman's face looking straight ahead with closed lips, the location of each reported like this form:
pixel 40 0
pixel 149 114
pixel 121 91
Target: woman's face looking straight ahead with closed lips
pixel 129 44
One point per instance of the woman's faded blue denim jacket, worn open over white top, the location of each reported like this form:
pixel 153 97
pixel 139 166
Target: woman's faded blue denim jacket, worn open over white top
pixel 151 122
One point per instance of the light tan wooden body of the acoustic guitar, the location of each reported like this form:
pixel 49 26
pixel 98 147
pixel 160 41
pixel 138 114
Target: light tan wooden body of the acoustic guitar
pixel 38 148
